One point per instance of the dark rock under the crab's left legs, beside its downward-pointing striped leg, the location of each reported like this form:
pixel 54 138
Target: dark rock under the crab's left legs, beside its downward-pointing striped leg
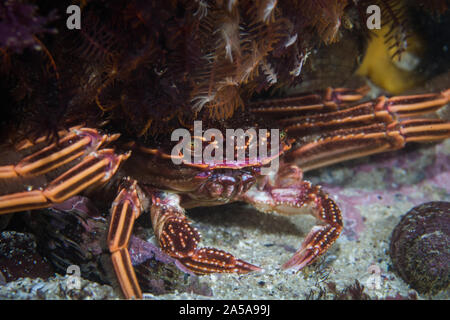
pixel 71 233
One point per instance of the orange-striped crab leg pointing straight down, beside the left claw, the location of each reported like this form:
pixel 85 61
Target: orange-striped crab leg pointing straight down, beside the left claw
pixel 125 209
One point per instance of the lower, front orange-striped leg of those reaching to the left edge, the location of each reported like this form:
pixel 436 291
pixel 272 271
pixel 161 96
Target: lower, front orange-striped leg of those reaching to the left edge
pixel 96 168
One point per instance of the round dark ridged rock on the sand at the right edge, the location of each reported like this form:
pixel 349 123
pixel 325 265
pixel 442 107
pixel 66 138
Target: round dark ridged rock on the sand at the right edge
pixel 420 247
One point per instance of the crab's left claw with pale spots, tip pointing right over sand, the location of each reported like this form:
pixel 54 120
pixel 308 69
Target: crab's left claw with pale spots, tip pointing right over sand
pixel 178 239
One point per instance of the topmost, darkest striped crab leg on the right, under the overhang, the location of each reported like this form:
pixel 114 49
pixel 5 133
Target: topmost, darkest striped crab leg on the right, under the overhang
pixel 328 100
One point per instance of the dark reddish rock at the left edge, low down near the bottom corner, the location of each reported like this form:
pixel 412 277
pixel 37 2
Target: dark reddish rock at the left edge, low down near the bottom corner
pixel 19 258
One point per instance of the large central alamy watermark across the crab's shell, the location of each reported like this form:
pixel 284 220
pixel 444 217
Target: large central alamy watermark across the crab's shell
pixel 238 148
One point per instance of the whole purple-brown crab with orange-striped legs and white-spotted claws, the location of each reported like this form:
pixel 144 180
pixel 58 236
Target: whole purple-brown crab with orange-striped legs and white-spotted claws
pixel 318 129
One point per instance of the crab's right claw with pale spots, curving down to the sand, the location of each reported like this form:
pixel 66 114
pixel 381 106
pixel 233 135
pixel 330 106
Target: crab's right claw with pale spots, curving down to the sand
pixel 289 195
